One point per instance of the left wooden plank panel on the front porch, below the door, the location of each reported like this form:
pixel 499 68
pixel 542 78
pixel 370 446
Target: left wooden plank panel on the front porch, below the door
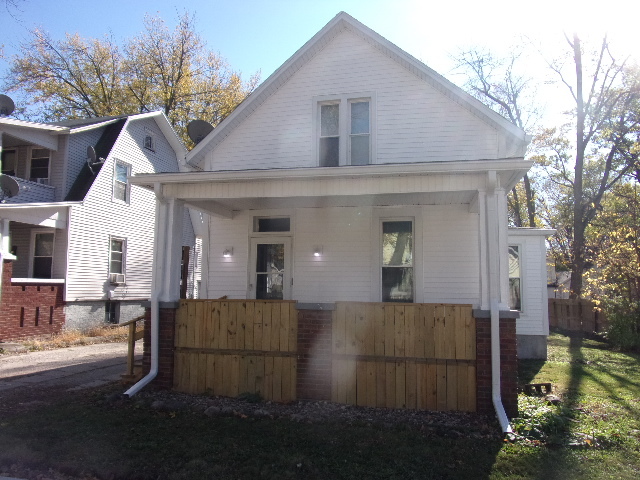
pixel 229 347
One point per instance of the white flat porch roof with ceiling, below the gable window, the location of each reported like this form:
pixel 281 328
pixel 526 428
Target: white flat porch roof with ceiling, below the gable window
pixel 435 183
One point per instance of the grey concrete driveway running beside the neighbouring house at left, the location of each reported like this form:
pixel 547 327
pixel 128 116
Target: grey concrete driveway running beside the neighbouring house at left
pixel 74 368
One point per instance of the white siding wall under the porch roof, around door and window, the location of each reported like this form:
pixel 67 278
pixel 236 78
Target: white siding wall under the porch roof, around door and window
pixel 344 272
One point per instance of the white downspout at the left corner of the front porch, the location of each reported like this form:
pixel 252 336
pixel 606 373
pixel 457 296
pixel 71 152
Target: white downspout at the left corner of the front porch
pixel 154 300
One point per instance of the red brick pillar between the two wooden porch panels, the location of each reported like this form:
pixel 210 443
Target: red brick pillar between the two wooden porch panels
pixel 314 355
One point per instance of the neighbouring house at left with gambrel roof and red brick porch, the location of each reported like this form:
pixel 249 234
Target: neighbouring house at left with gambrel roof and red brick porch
pixel 77 238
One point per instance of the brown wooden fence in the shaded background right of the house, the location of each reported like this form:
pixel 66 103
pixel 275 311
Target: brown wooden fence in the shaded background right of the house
pixel 576 315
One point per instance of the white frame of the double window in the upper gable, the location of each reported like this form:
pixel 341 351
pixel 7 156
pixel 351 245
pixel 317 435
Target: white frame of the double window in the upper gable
pixel 344 145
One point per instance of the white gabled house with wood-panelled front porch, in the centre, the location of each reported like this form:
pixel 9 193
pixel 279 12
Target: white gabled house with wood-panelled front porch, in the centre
pixel 359 199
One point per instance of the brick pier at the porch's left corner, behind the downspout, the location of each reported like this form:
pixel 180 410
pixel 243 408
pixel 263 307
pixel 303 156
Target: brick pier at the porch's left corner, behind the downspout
pixel 166 339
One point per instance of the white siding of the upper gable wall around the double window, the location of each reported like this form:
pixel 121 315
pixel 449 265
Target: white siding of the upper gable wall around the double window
pixel 415 123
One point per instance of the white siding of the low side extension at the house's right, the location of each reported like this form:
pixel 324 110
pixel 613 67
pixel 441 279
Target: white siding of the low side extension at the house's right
pixel 534 318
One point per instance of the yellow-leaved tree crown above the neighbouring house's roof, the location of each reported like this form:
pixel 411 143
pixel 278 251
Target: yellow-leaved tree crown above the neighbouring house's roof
pixel 159 69
